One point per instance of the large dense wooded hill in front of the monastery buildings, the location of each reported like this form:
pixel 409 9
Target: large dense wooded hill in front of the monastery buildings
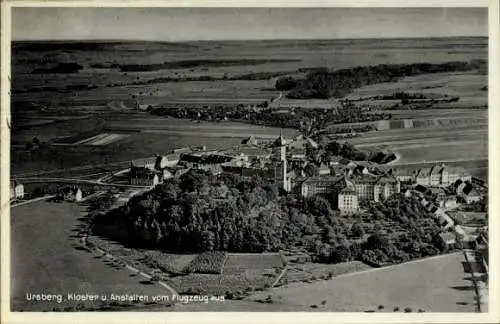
pixel 189 215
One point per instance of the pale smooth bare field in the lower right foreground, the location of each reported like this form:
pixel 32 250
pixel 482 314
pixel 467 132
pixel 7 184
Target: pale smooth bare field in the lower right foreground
pixel 434 285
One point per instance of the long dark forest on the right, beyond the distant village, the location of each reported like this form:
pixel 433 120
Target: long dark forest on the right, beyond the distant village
pixel 324 83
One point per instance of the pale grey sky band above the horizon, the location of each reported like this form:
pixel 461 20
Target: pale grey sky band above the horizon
pixel 184 24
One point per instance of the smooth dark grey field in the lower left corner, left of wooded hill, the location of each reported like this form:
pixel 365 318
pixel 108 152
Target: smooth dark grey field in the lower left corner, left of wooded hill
pixel 46 258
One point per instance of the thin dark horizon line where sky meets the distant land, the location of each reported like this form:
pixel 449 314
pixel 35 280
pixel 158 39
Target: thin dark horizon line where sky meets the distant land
pixel 237 40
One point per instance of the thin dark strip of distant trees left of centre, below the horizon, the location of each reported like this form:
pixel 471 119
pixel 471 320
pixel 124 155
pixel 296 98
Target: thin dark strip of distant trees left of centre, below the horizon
pixel 184 64
